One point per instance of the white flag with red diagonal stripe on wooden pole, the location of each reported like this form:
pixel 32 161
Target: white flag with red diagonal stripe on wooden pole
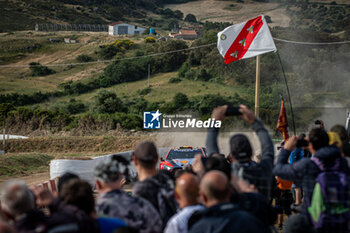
pixel 245 40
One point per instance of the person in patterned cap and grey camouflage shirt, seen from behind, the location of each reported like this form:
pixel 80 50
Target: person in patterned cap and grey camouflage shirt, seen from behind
pixel 114 202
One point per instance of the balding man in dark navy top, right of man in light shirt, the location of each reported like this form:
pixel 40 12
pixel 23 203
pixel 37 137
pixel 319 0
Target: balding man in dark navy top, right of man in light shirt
pixel 221 215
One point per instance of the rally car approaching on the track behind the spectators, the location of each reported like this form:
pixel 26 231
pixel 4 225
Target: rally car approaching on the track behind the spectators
pixel 177 158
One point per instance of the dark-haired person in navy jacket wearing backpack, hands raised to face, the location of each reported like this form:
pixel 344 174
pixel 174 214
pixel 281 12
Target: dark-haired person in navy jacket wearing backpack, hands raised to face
pixel 306 171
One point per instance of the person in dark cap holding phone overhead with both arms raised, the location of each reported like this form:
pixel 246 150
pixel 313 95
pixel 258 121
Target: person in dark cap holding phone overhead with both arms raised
pixel 258 174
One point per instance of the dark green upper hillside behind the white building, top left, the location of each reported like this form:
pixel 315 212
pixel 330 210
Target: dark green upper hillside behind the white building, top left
pixel 24 14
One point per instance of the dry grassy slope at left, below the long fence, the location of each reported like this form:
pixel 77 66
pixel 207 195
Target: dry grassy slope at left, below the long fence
pixel 16 45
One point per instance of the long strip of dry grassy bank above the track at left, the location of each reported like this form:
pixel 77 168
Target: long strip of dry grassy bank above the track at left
pixel 74 144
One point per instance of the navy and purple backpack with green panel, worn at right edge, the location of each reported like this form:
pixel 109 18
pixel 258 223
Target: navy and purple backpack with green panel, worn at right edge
pixel 330 204
